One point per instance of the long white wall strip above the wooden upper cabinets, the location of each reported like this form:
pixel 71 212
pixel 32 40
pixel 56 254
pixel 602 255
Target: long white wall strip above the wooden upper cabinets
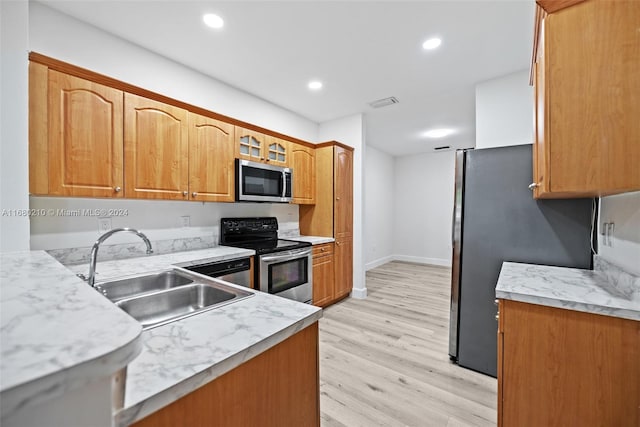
pixel 63 37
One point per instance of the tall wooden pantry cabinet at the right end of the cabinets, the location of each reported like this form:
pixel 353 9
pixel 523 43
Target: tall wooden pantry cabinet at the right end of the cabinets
pixel 332 215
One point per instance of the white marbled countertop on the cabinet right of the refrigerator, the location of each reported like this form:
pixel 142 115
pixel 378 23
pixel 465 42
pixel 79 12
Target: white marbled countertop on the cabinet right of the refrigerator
pixel 569 288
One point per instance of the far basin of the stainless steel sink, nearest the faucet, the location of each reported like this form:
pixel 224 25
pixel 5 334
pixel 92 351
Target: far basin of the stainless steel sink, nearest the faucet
pixel 133 286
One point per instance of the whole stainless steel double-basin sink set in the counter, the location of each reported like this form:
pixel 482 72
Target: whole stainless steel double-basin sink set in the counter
pixel 163 297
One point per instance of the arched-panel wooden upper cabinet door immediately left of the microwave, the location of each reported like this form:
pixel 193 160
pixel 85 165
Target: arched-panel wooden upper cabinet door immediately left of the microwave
pixel 211 155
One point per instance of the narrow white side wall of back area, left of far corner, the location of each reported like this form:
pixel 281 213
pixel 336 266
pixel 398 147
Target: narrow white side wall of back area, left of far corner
pixel 379 176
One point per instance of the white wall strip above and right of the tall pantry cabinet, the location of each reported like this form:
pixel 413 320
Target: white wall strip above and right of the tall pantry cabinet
pixel 350 131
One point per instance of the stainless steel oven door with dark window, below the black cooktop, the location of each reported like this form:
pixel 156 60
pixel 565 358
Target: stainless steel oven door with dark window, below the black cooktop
pixel 287 274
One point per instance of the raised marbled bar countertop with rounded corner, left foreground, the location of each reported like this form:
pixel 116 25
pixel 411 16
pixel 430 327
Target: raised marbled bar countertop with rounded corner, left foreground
pixel 57 333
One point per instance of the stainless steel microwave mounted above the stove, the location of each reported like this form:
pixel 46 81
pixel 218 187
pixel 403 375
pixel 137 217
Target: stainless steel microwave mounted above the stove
pixel 259 182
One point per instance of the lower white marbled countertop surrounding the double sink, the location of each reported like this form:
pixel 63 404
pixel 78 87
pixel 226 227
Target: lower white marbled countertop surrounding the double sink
pixel 181 356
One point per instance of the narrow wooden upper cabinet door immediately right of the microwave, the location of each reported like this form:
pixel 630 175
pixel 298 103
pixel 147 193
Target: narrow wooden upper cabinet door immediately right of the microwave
pixel 303 163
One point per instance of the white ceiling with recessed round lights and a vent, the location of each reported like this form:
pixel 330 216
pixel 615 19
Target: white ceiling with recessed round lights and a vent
pixel 361 50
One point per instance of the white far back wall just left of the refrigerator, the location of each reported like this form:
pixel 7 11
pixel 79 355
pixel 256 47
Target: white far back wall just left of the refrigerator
pixel 424 188
